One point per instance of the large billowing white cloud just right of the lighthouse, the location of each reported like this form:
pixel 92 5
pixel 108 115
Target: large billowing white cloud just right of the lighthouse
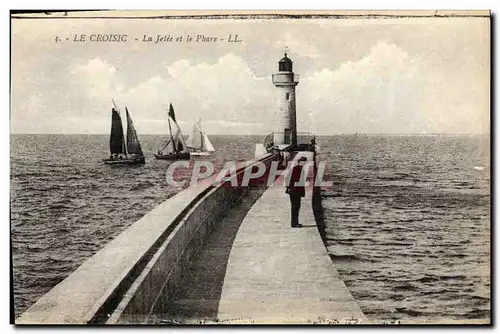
pixel 382 92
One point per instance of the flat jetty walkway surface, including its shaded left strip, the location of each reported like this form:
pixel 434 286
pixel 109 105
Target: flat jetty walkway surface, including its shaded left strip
pixel 257 269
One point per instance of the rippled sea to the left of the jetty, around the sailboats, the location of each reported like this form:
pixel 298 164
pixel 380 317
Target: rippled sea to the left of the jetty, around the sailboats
pixel 65 201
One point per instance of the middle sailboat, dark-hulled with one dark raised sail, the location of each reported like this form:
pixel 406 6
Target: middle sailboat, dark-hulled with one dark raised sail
pixel 175 146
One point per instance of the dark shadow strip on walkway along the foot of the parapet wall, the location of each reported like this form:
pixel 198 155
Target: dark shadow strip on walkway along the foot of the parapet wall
pixel 198 296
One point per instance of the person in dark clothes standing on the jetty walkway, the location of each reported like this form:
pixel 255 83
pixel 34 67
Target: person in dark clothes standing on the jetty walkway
pixel 295 188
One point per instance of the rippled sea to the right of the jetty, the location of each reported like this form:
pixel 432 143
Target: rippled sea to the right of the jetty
pixel 408 224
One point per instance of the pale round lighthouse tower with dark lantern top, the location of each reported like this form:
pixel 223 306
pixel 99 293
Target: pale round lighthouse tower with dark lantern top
pixel 285 126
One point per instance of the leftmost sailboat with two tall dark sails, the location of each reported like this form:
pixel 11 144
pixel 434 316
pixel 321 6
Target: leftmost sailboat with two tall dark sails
pixel 123 152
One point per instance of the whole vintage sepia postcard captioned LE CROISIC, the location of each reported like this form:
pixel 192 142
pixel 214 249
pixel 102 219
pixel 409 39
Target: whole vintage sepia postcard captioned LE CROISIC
pixel 278 167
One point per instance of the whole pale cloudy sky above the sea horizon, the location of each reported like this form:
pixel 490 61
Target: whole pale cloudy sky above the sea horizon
pixel 398 75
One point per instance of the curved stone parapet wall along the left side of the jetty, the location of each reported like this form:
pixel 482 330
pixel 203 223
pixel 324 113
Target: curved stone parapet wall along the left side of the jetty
pixel 124 281
